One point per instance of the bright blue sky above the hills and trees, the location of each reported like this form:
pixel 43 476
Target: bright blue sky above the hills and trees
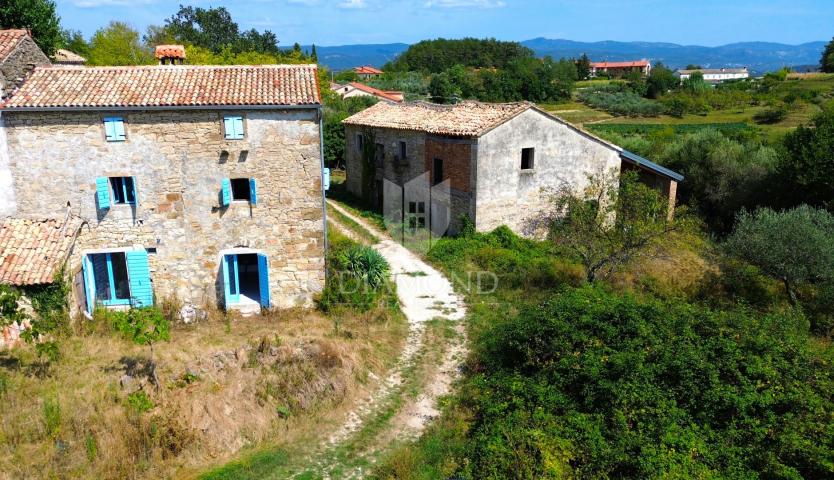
pixel 336 22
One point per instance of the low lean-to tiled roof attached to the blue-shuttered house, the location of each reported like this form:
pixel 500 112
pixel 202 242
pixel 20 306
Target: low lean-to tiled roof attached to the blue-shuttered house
pixel 32 251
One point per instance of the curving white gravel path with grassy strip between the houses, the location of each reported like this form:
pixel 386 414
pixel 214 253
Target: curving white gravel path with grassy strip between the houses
pixel 391 413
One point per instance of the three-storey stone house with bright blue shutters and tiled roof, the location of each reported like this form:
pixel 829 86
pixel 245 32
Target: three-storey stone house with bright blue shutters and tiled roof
pixel 202 183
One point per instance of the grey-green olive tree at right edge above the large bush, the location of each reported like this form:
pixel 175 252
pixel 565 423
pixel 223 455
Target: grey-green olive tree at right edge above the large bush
pixel 795 246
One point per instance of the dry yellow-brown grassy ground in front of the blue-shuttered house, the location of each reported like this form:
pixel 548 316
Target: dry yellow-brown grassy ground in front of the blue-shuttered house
pixel 225 384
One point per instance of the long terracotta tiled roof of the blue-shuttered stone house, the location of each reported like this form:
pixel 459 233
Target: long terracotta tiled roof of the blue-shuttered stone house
pixel 167 86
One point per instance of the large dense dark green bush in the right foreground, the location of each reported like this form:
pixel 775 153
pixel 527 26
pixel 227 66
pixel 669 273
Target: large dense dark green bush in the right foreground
pixel 593 385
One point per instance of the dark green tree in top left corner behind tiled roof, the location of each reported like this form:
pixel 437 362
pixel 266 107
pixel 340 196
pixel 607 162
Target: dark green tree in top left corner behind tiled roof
pixel 39 16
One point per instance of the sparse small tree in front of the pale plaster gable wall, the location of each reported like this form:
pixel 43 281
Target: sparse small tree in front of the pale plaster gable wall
pixel 611 223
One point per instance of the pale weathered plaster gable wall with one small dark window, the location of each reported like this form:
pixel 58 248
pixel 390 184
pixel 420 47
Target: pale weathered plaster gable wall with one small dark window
pixel 507 195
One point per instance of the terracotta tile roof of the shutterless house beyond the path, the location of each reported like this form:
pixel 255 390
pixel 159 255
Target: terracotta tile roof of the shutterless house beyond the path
pixel 467 119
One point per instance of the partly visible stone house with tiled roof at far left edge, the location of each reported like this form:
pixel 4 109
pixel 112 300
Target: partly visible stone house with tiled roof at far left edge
pixel 19 55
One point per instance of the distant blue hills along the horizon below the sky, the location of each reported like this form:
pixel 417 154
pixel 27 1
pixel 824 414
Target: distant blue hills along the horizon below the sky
pixel 760 57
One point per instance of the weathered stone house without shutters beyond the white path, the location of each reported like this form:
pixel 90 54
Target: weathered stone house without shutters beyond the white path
pixel 502 162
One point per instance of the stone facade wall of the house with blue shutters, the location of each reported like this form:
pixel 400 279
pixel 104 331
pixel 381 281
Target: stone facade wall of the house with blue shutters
pixel 179 159
